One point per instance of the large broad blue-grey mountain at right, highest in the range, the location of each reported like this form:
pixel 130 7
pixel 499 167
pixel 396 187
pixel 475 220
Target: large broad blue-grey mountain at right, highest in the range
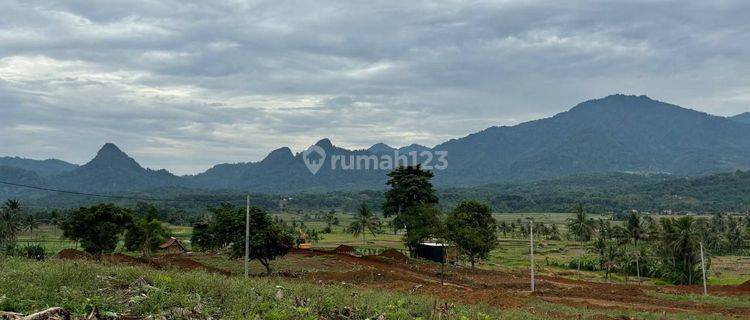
pixel 617 133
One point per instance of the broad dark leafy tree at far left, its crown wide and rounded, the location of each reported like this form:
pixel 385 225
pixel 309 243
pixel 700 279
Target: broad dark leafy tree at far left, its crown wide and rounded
pixel 97 227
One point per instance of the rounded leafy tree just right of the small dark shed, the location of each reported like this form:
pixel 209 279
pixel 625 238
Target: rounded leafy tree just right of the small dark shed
pixel 471 227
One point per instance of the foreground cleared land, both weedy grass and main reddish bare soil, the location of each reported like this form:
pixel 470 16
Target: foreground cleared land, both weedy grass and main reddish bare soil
pixel 413 288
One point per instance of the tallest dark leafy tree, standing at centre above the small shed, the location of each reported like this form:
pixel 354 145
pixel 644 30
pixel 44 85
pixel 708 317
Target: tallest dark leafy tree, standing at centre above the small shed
pixel 409 196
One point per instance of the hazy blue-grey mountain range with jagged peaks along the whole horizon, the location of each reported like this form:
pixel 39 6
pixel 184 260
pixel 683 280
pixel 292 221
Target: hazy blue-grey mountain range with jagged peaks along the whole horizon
pixel 618 133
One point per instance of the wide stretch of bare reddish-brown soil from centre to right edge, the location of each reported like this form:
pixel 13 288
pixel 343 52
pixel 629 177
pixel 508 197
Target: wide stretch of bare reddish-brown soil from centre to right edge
pixel 501 289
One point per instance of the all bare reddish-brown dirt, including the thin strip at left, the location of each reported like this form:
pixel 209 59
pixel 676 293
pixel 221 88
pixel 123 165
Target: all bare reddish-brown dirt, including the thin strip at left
pixel 395 272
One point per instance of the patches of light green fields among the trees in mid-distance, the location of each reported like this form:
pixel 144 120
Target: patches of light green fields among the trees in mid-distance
pixel 512 253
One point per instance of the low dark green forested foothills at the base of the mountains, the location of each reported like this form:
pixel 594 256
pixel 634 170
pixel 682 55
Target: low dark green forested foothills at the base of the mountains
pixel 614 192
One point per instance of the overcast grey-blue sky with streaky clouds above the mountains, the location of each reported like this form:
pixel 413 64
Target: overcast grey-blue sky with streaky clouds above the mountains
pixel 186 85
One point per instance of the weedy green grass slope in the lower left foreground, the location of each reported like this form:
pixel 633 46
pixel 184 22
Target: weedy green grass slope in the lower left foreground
pixel 28 286
